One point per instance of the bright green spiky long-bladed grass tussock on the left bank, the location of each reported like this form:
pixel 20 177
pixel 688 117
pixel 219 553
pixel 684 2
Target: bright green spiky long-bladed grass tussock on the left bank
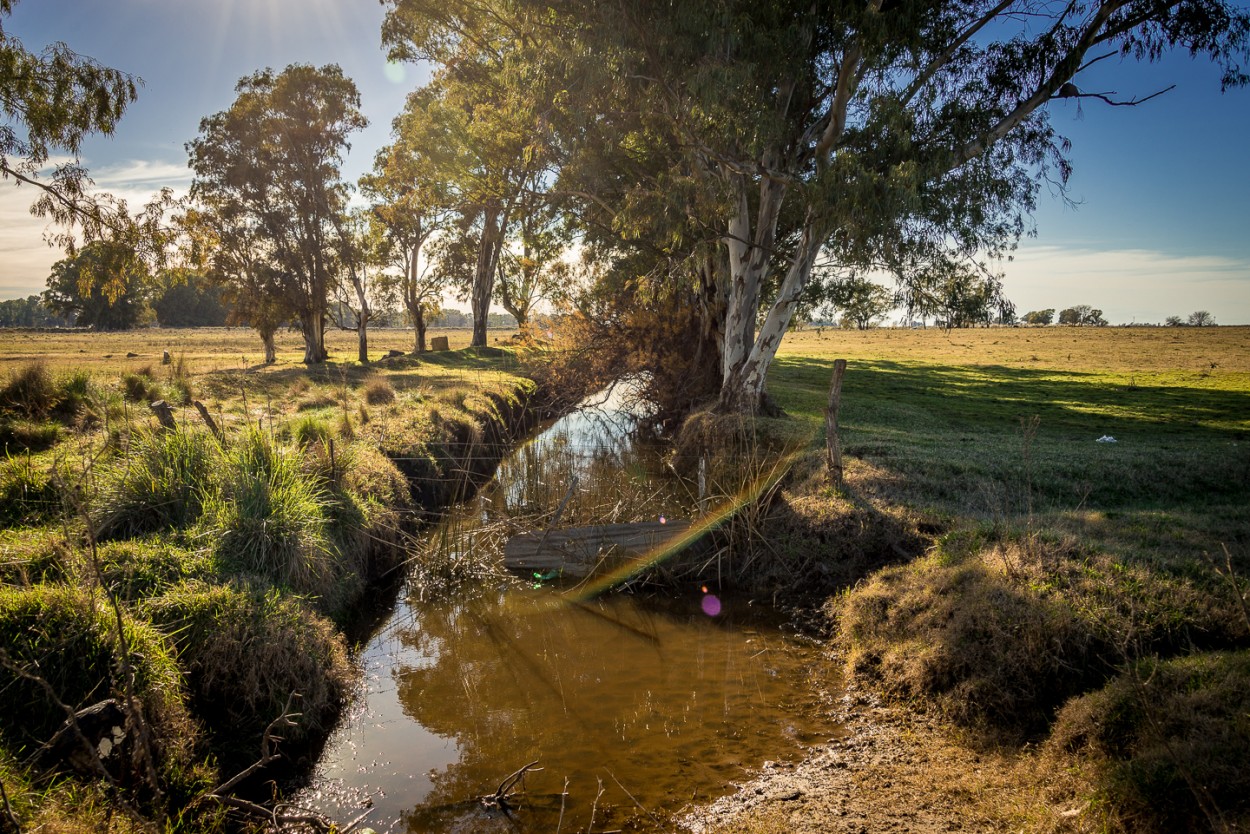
pixel 271 518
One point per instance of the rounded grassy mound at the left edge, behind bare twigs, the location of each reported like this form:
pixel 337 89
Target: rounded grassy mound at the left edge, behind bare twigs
pixel 67 637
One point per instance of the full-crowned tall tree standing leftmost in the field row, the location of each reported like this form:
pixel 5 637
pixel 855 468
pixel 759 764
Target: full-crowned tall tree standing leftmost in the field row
pixel 268 184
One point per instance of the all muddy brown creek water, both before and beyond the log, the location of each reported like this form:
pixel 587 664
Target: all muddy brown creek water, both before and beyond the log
pixel 632 707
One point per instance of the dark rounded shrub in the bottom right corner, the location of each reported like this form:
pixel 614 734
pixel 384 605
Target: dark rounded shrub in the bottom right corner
pixel 1167 743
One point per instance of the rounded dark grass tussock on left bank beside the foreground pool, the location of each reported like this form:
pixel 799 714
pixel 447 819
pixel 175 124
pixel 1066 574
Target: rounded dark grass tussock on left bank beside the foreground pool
pixel 246 651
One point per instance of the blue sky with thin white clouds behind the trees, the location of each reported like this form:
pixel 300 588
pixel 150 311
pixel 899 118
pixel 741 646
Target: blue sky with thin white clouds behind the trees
pixel 1162 223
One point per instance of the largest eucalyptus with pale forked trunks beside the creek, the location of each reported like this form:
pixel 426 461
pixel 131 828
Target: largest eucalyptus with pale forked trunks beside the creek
pixel 862 132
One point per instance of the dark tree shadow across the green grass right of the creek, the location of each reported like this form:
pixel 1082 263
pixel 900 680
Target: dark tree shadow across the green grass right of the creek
pixel 1003 443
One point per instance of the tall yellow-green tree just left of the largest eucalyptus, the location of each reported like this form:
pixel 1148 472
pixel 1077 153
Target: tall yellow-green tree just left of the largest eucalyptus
pixel 487 114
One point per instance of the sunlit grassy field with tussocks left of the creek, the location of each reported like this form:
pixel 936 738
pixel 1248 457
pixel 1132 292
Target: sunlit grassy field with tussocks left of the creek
pixel 204 577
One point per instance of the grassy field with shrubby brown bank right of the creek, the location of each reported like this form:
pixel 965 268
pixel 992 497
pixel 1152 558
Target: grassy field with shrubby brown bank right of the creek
pixel 1081 605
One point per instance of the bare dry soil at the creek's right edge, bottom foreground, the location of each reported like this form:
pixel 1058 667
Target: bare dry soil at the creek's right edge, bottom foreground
pixel 892 771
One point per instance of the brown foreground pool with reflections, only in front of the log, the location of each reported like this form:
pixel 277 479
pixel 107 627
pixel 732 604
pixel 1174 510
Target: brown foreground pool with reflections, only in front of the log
pixel 653 707
